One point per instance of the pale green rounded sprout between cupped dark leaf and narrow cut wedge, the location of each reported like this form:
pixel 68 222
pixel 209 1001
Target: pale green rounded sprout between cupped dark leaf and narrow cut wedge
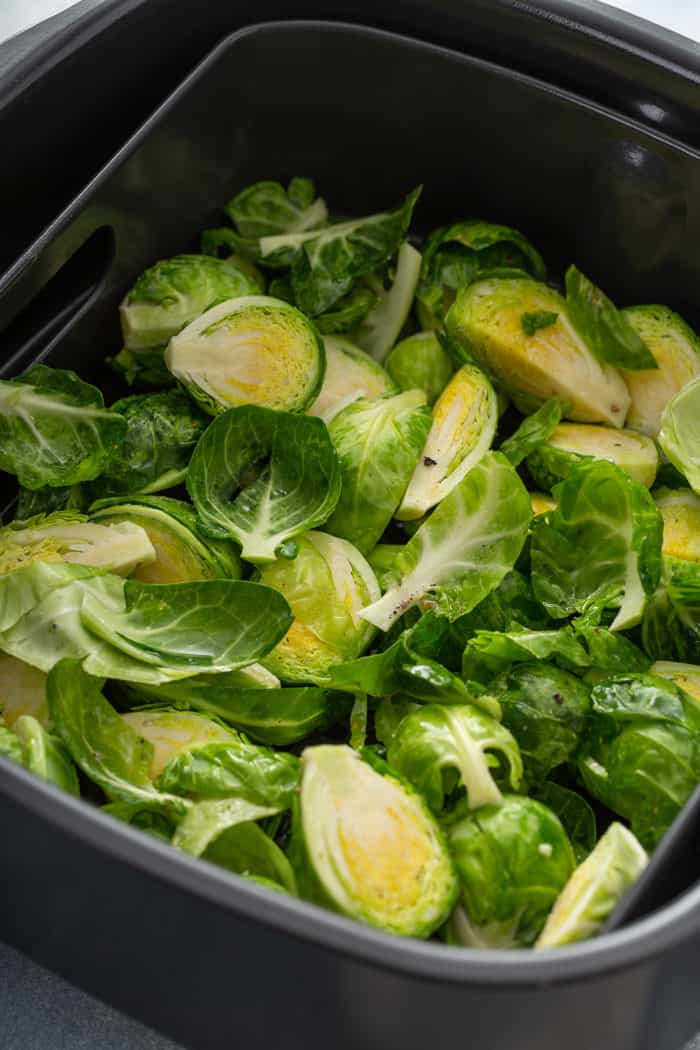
pixel 378 445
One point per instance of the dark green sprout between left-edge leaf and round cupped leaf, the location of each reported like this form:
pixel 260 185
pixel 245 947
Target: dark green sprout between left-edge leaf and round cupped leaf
pixel 162 432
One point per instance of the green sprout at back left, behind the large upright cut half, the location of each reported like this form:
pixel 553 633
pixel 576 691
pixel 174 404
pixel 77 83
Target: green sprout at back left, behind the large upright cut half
pixel 173 293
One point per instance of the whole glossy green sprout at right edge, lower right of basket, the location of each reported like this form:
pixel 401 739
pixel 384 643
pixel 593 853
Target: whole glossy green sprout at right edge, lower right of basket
pixel 641 755
